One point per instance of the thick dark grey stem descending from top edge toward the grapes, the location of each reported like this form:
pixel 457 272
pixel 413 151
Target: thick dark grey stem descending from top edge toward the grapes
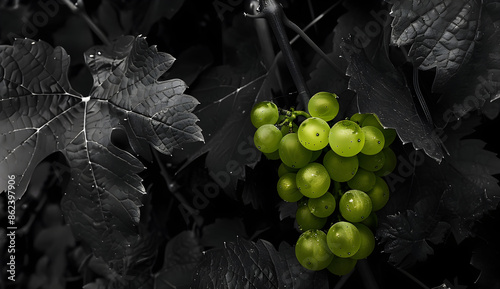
pixel 275 16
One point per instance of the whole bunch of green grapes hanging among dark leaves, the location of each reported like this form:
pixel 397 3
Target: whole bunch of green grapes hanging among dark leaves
pixel 334 171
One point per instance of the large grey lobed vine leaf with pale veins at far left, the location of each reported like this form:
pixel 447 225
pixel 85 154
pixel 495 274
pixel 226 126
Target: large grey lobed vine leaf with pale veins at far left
pixel 41 114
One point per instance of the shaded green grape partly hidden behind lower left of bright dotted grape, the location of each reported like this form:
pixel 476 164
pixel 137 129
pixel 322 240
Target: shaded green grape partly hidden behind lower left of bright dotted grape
pixel 292 153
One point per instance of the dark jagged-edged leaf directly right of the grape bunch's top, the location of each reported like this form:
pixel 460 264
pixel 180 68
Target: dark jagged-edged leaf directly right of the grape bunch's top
pixel 382 93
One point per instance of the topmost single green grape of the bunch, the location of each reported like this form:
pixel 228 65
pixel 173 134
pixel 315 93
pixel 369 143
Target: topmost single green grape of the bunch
pixel 323 105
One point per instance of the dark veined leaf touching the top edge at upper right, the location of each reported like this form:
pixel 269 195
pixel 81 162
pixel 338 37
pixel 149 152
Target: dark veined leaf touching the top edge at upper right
pixel 443 33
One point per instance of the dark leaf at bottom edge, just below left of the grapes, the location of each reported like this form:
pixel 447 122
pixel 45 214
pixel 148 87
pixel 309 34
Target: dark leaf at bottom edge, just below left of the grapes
pixel 245 264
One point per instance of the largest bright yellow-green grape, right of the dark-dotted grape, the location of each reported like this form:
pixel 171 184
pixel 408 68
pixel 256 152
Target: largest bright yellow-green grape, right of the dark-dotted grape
pixel 346 138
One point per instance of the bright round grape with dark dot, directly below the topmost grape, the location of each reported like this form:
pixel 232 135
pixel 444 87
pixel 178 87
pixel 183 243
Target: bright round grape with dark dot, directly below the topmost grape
pixel 313 133
